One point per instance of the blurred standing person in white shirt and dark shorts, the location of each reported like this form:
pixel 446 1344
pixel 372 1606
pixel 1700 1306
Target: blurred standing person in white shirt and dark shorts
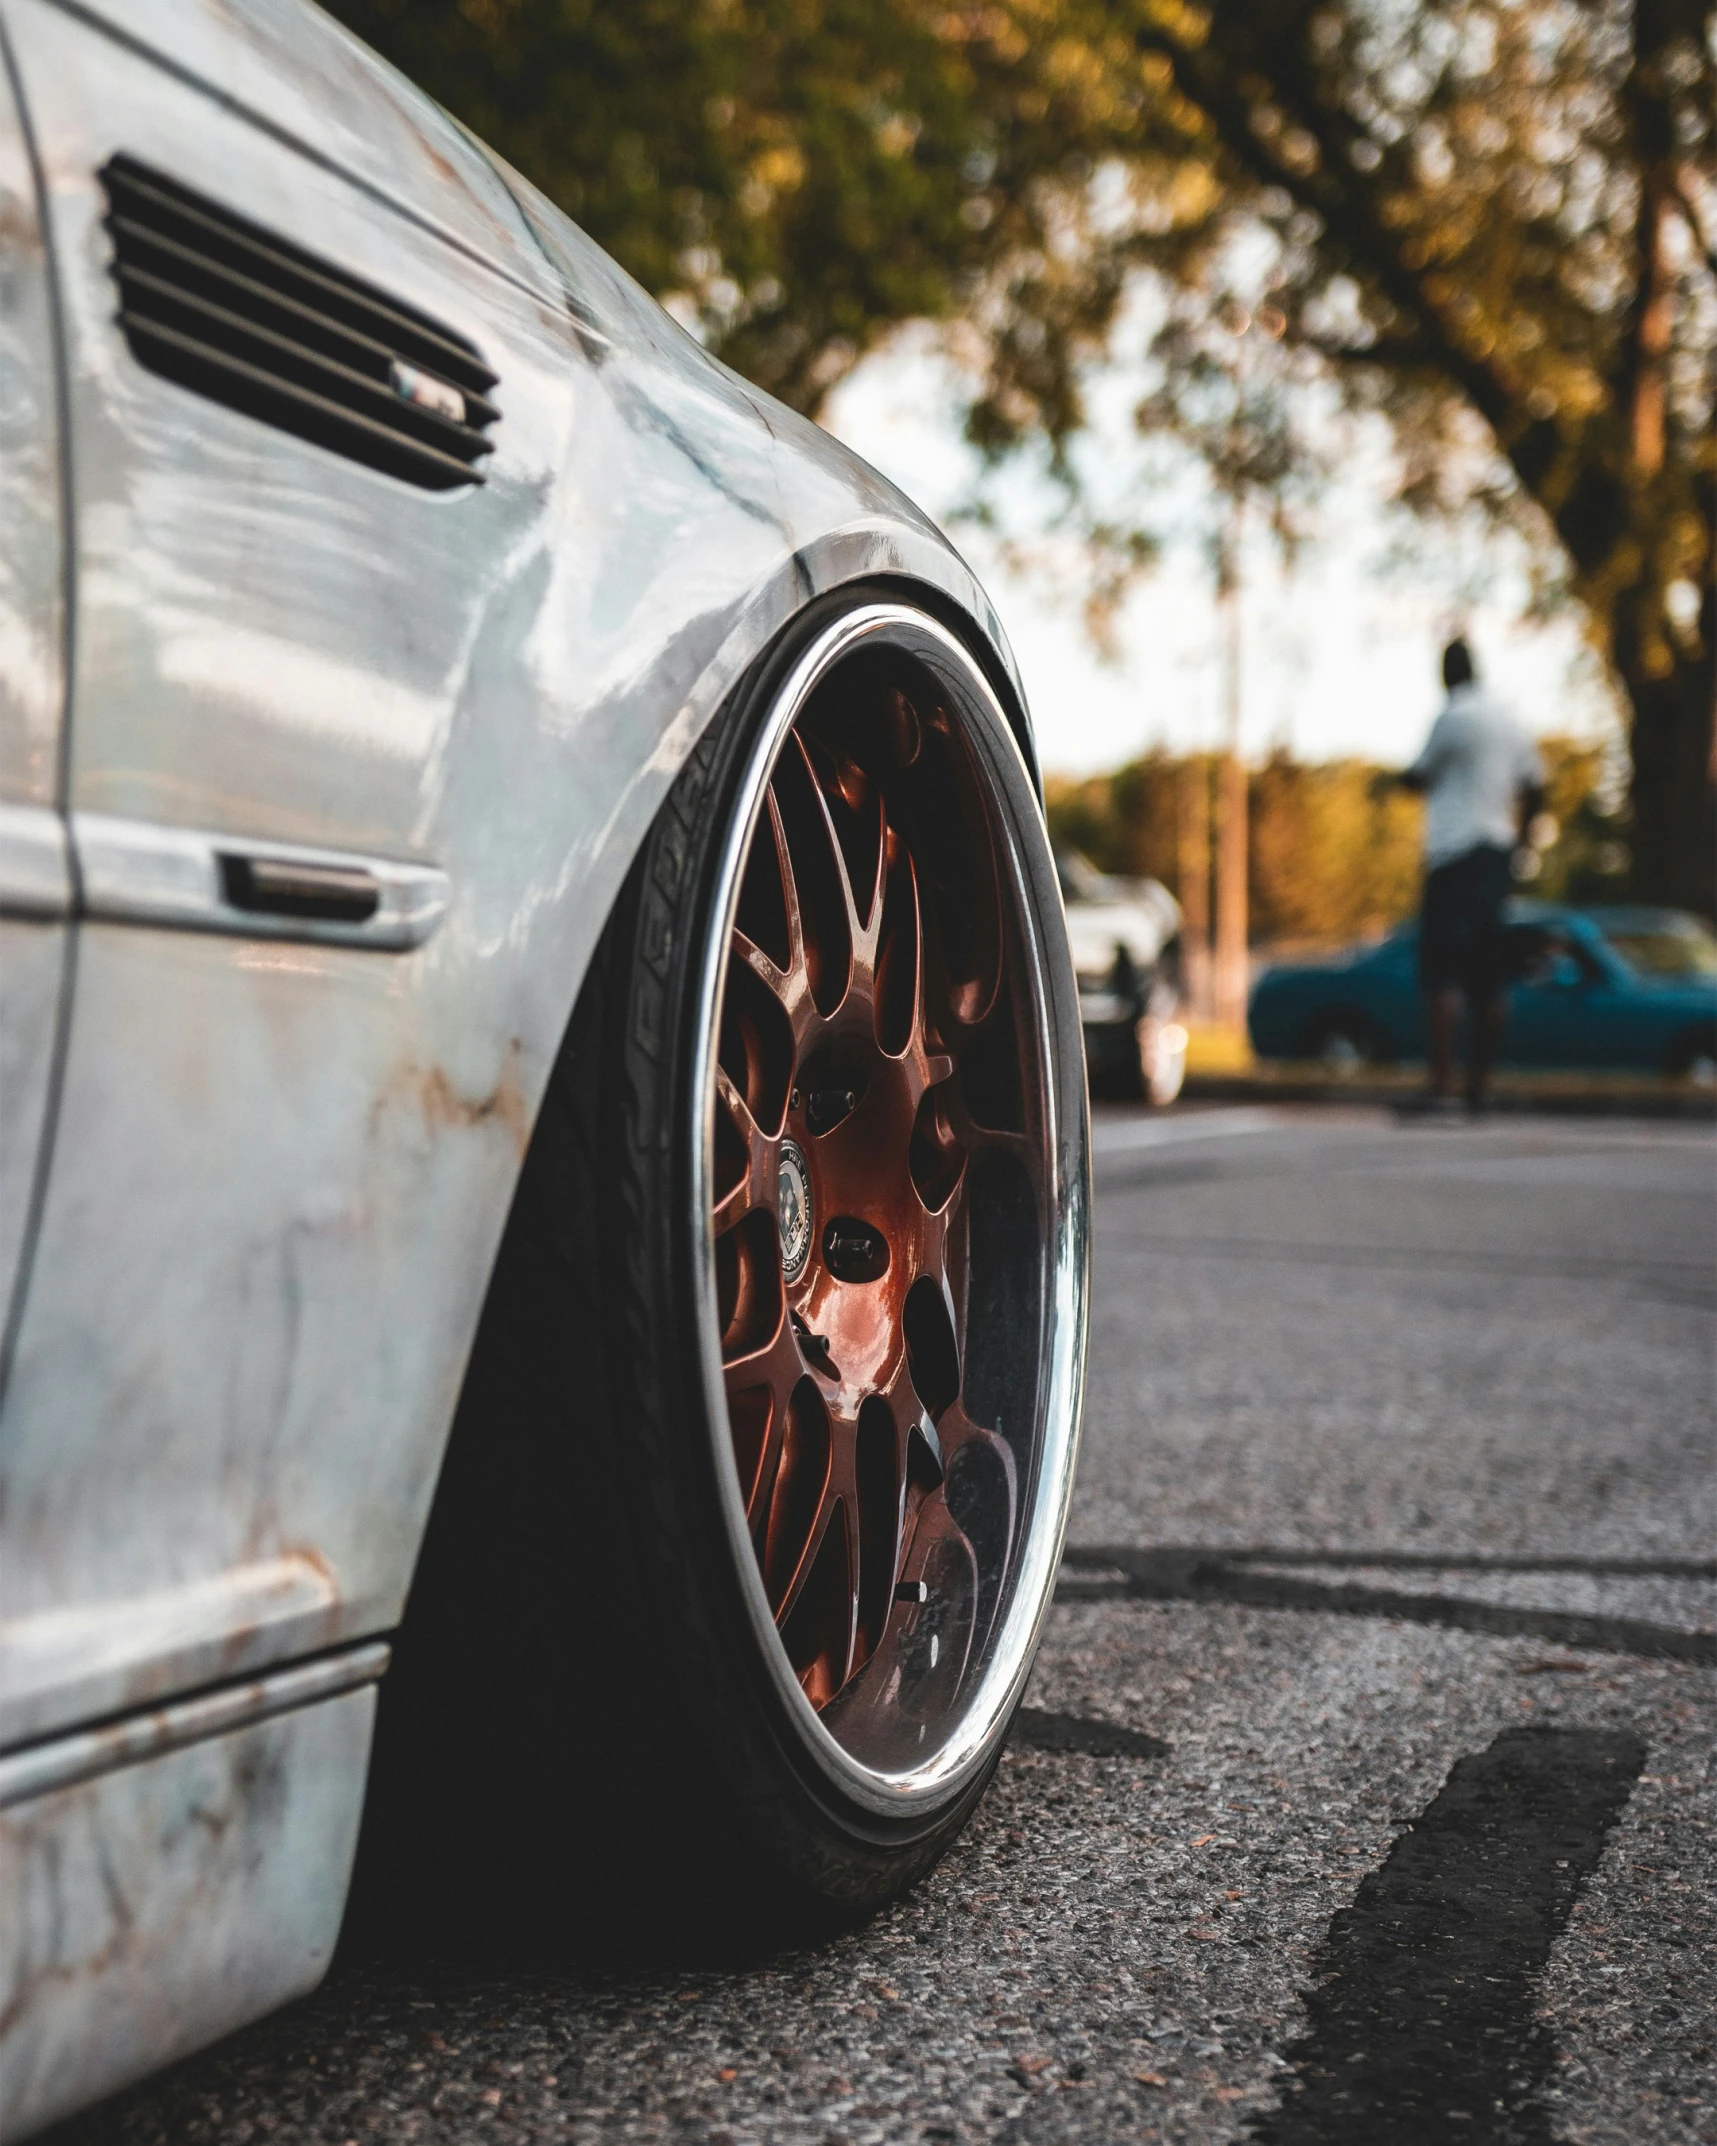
pixel 1484 784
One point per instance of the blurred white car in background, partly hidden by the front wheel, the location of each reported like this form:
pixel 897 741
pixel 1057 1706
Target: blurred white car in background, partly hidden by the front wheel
pixel 1126 939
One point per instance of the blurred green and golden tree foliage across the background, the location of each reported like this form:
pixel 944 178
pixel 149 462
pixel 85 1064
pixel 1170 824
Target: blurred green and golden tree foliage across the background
pixel 1491 222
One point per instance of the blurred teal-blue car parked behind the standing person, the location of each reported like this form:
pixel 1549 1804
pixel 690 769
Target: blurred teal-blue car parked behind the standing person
pixel 1604 988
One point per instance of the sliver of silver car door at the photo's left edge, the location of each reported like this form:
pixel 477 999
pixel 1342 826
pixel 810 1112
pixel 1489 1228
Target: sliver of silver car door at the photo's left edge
pixel 35 890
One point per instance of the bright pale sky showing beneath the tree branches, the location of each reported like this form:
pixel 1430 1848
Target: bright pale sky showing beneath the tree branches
pixel 1338 653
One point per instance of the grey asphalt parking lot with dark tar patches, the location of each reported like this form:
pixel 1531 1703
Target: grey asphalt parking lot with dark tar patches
pixel 1368 1784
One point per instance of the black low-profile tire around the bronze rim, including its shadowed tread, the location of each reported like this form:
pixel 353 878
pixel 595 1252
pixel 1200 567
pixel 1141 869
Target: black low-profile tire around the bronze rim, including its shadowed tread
pixel 585 1741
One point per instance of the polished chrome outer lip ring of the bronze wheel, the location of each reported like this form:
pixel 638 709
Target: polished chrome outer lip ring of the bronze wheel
pixel 1055 1001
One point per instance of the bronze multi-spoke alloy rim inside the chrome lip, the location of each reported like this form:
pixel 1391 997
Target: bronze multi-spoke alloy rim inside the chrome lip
pixel 881 1201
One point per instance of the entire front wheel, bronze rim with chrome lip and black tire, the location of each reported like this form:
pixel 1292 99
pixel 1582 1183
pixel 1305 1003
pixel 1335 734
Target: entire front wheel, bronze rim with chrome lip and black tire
pixel 769 1435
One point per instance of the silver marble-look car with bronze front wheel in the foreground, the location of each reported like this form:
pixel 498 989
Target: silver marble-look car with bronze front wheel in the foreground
pixel 544 1113
